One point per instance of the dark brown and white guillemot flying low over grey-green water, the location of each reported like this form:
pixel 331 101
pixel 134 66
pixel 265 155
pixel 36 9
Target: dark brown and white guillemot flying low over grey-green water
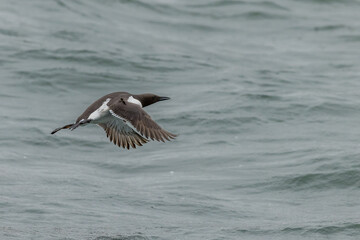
pixel 122 117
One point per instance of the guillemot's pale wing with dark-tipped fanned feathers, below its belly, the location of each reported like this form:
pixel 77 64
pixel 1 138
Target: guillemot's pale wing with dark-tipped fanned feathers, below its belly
pixel 121 134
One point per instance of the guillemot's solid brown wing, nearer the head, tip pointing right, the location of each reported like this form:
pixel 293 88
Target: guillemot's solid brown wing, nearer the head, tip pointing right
pixel 135 117
